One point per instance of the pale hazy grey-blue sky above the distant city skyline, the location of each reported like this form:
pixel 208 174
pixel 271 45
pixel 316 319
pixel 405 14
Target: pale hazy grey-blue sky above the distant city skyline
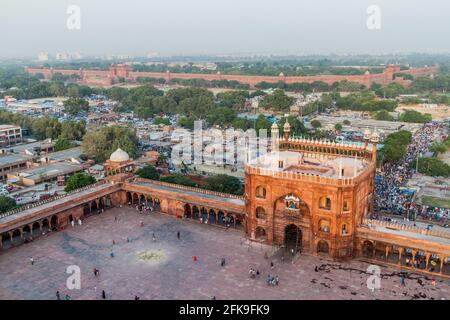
pixel 223 26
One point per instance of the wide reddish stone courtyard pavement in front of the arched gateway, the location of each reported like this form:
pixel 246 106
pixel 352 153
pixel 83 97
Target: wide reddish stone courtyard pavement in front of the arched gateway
pixel 165 268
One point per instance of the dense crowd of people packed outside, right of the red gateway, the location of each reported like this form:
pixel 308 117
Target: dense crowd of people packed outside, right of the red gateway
pixel 389 195
